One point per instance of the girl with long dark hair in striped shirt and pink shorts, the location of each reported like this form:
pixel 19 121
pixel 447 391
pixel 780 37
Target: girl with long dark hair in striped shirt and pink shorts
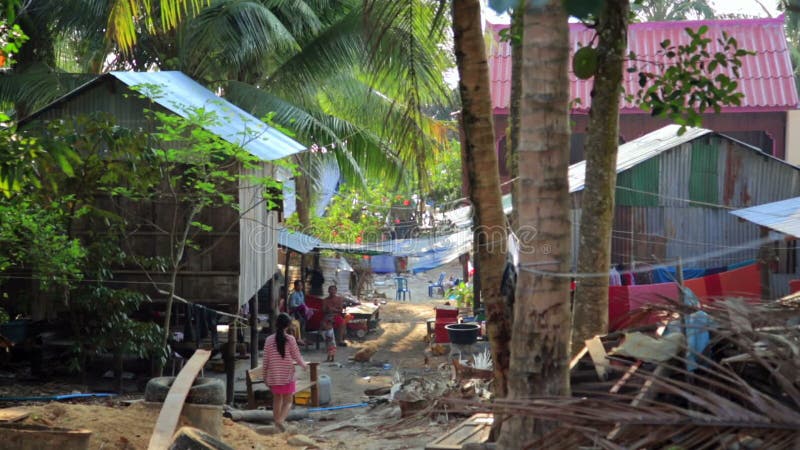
pixel 280 355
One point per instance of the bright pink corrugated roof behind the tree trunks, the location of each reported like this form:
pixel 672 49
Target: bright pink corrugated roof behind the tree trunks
pixel 766 79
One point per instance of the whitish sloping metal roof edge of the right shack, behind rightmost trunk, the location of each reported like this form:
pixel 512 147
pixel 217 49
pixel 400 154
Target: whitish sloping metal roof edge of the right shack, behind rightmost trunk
pixel 638 151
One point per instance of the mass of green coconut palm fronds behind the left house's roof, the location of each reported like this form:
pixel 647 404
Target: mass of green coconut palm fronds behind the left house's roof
pixel 314 64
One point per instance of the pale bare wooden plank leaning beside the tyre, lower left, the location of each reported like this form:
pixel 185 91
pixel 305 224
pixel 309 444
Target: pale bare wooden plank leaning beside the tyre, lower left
pixel 173 405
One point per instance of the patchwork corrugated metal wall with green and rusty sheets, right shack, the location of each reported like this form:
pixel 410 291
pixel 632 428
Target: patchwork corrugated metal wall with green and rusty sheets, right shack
pixel 697 183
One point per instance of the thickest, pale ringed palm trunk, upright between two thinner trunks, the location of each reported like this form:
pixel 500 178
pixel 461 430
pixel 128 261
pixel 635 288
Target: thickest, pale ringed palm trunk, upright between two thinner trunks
pixel 540 338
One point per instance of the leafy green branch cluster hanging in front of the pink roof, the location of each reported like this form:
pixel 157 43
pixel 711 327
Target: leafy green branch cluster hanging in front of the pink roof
pixel 693 80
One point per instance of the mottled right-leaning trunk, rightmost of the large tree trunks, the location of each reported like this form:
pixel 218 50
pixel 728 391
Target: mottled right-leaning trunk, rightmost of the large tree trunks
pixel 590 313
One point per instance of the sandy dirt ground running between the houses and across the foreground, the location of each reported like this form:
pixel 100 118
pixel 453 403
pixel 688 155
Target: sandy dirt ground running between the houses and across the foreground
pixel 400 344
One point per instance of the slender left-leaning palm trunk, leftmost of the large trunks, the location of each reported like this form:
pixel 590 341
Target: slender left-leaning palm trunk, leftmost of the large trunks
pixel 484 178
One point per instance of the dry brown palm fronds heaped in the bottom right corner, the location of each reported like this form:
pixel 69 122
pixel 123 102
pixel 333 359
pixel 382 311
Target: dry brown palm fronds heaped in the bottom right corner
pixel 742 395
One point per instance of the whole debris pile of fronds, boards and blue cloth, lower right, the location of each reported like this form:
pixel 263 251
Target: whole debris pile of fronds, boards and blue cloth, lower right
pixel 720 375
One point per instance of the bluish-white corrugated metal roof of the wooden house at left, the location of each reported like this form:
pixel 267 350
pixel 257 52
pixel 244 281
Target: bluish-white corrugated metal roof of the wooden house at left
pixel 181 95
